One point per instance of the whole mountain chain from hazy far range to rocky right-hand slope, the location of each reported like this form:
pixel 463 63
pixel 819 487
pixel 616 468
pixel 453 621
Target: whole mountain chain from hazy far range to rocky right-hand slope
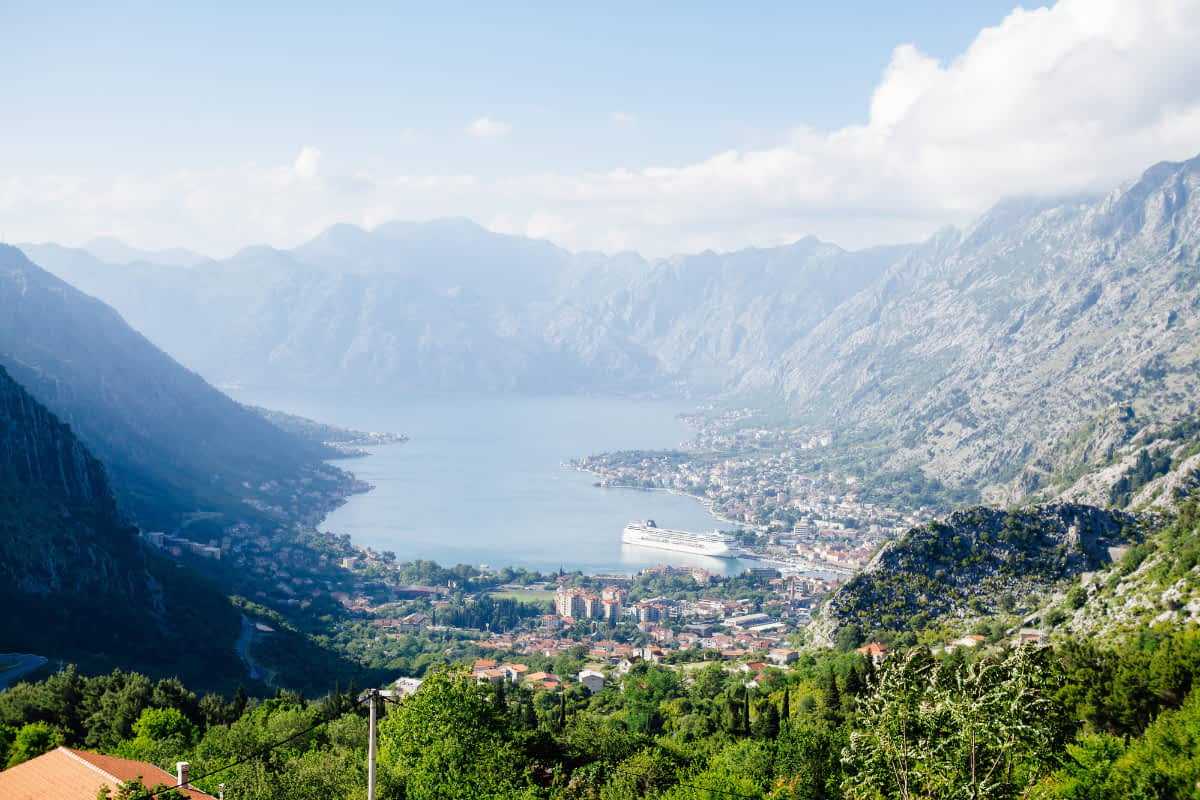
pixel 1034 342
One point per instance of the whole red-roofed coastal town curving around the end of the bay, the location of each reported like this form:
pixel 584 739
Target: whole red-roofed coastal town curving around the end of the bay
pixel 797 531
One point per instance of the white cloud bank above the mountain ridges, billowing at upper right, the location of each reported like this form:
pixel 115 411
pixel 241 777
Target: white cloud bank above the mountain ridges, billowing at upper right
pixel 1071 99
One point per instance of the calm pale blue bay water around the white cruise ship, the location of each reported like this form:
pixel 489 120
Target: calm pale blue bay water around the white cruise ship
pixel 483 479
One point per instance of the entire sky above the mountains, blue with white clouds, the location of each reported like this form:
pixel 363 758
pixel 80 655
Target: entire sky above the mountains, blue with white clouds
pixel 658 128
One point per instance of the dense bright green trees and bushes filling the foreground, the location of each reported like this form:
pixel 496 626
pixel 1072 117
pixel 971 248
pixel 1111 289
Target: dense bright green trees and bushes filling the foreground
pixel 1087 720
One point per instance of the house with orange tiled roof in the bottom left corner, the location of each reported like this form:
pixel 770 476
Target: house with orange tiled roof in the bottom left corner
pixel 67 774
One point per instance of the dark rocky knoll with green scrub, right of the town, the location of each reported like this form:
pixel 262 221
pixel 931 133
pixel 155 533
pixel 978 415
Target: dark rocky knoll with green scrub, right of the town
pixel 975 563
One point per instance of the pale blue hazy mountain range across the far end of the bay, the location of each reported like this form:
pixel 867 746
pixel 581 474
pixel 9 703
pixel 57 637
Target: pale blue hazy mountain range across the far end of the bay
pixel 451 306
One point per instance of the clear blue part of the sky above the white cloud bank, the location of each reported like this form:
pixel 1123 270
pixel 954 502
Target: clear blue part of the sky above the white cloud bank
pixel 163 86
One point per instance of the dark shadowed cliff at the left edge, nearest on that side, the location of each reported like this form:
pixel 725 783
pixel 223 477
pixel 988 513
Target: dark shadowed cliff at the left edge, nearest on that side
pixel 75 584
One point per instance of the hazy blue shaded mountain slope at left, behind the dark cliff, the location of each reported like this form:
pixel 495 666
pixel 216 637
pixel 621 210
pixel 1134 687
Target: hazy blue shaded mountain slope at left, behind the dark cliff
pixel 171 442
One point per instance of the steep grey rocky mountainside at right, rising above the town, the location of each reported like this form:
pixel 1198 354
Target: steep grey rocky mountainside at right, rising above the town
pixel 1036 342
